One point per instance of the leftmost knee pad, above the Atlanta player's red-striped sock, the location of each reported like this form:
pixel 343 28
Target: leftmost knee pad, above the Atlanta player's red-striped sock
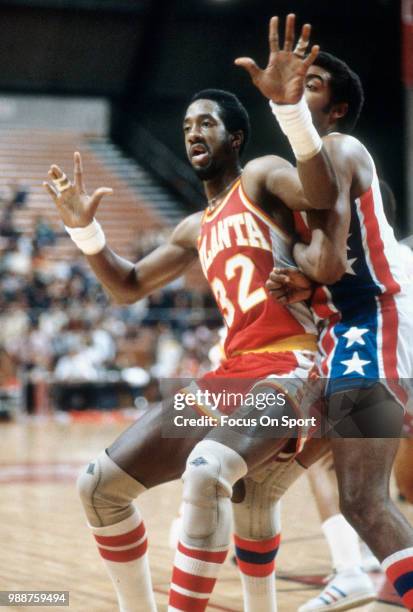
pixel 106 492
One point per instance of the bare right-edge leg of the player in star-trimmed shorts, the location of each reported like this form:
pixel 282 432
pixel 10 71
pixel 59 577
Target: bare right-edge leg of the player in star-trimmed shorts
pixel 363 467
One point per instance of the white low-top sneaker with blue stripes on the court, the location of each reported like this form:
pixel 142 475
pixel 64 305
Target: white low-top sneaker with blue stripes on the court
pixel 344 590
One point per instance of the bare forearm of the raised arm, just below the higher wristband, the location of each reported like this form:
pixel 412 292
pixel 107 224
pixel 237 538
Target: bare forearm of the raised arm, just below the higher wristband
pixel 319 180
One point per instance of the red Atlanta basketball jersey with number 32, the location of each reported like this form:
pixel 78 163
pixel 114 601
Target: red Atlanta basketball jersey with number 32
pixel 239 245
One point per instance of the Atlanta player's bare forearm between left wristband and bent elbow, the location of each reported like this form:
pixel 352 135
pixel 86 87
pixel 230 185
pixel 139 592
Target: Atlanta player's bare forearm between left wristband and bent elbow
pixel 117 275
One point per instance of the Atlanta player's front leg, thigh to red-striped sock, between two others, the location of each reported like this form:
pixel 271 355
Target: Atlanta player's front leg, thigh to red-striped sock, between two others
pixel 225 456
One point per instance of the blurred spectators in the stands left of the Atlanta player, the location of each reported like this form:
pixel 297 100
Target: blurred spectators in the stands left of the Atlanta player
pixel 58 326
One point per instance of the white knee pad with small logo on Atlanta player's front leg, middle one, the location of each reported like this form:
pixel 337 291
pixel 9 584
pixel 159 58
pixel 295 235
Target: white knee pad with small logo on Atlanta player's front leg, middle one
pixel 211 471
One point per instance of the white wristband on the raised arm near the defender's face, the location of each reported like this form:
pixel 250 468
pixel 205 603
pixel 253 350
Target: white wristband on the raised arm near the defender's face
pixel 296 122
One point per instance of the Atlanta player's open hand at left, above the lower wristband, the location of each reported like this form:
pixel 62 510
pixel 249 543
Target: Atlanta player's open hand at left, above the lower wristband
pixel 76 208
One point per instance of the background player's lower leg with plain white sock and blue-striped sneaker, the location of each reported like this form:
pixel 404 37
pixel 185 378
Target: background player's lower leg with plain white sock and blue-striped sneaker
pixel 349 586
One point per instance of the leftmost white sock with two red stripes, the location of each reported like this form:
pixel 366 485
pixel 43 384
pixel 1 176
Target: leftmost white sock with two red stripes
pixel 123 548
